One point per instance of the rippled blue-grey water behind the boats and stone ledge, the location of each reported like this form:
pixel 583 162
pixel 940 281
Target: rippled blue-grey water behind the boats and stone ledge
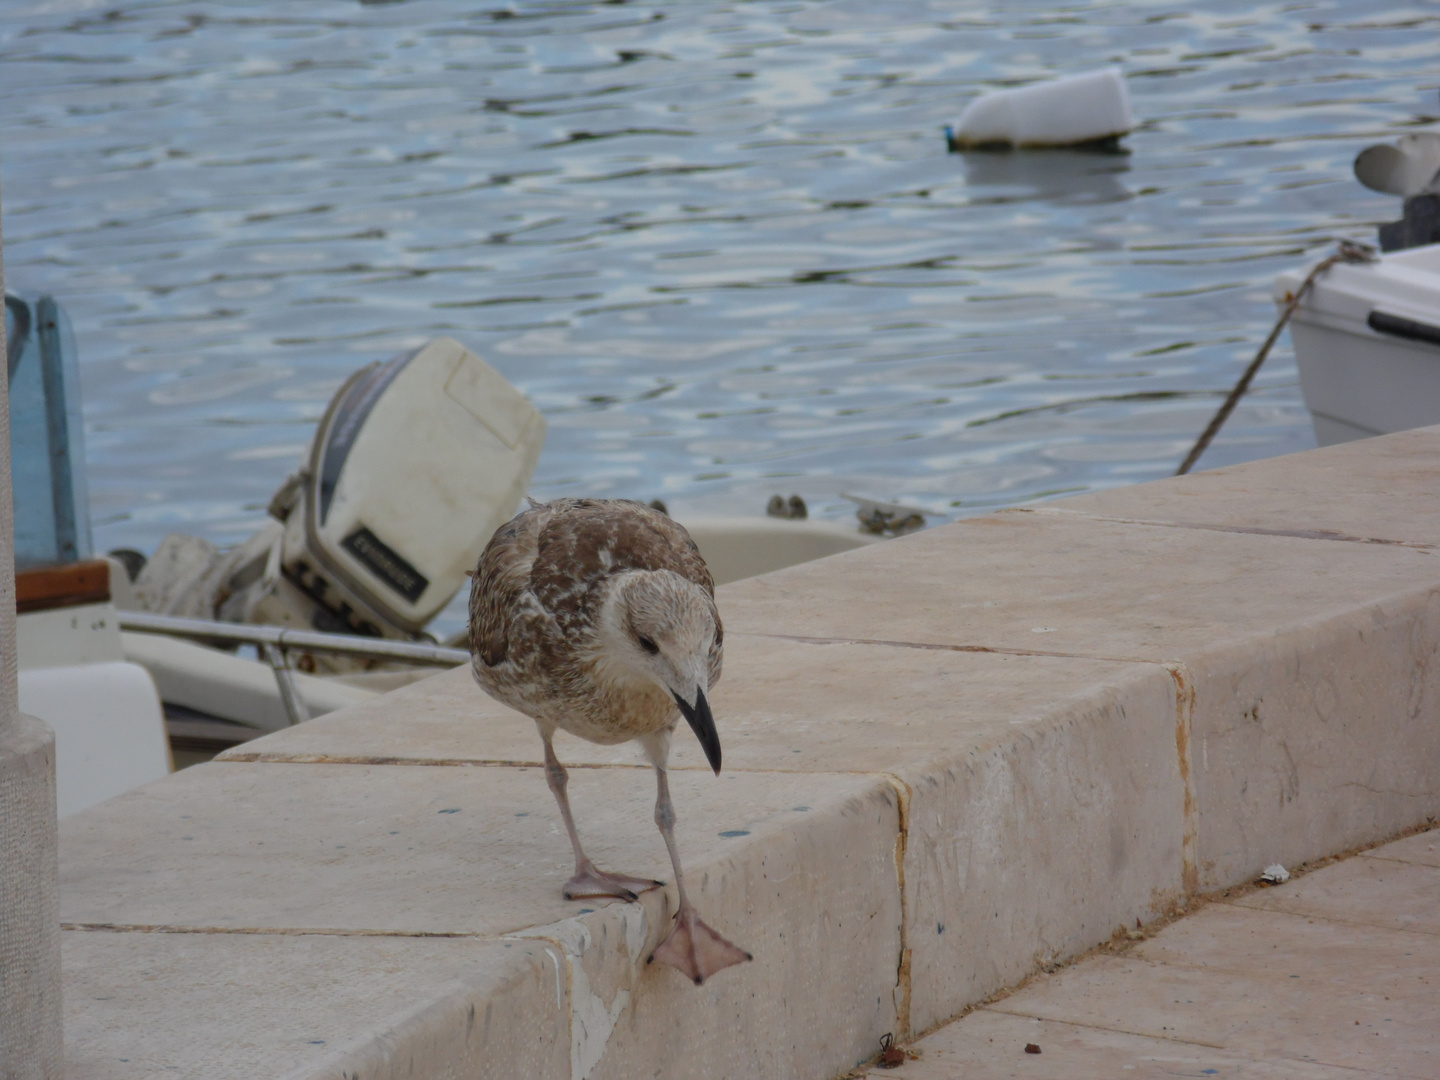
pixel 719 244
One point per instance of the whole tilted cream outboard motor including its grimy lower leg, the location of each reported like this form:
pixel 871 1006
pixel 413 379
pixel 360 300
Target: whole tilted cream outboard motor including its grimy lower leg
pixel 415 464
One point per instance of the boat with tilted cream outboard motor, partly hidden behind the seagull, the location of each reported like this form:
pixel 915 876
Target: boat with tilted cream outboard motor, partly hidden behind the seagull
pixel 369 539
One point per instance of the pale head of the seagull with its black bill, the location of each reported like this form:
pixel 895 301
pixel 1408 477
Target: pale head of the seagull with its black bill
pixel 660 627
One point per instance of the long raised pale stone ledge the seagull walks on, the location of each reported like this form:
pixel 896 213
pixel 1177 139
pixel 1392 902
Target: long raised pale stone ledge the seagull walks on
pixel 951 760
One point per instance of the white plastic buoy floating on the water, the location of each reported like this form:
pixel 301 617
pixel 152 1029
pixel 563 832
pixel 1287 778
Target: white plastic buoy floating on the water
pixel 1078 109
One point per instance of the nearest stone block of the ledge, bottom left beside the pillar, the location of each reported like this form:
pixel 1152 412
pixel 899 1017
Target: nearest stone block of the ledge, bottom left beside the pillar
pixel 260 1004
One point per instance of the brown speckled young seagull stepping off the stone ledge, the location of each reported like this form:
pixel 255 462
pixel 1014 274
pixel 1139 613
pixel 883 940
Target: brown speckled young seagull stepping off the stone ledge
pixel 598 617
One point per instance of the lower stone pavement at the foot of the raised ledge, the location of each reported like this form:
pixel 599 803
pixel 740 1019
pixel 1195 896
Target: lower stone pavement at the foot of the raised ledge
pixel 1330 977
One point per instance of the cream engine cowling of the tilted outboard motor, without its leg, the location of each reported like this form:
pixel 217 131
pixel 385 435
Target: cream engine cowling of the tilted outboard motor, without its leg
pixel 414 467
